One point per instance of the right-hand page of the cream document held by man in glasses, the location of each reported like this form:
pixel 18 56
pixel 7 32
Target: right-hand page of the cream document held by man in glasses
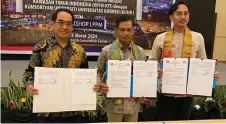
pixel 82 95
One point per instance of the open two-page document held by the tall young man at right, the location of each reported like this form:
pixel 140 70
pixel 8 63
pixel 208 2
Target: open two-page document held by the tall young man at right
pixel 195 79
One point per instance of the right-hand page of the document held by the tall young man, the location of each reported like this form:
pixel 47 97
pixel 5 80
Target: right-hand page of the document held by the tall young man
pixel 200 79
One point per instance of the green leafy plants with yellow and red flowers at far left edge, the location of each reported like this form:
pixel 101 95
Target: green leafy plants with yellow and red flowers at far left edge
pixel 16 98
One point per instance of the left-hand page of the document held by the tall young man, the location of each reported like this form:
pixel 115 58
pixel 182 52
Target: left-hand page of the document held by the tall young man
pixel 174 79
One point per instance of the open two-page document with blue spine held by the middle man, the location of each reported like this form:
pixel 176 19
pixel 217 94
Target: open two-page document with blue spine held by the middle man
pixel 143 83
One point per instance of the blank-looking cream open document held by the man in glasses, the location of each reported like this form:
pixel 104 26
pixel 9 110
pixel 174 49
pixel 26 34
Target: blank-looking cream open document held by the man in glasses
pixel 62 89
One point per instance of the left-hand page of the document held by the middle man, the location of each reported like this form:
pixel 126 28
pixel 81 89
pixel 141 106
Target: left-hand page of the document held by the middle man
pixel 119 78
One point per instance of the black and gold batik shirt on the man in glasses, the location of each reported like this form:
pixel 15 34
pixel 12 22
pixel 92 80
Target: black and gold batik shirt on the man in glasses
pixel 49 53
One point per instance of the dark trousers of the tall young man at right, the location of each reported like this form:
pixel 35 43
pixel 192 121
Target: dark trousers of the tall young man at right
pixel 171 108
